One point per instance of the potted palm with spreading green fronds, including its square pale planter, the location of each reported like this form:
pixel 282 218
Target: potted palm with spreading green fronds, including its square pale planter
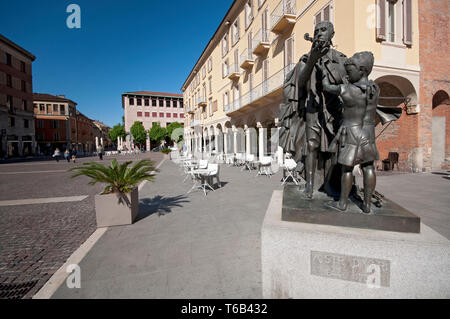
pixel 118 204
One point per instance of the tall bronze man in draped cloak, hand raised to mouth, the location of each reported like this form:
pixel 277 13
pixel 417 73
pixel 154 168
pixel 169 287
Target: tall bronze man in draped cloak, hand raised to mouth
pixel 309 116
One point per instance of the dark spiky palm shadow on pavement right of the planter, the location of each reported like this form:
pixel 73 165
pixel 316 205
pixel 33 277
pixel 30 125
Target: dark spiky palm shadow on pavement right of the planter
pixel 159 204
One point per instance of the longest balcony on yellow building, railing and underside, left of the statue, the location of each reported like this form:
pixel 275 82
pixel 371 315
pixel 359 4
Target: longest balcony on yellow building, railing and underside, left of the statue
pixel 269 88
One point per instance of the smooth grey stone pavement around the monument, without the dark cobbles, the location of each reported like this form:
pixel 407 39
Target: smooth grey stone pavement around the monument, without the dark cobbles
pixel 196 246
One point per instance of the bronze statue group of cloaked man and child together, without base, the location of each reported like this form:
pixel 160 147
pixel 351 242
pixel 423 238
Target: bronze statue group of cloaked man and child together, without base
pixel 328 118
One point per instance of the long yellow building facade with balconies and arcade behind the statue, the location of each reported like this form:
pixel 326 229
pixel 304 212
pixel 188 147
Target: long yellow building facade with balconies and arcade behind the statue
pixel 234 90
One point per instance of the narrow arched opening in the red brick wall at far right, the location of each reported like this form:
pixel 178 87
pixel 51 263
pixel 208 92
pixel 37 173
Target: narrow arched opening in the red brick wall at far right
pixel 440 130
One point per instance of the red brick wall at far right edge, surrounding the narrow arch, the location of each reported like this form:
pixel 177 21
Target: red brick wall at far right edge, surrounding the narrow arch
pixel 434 64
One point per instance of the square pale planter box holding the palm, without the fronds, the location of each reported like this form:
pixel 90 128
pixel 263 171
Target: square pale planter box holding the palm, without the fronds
pixel 117 209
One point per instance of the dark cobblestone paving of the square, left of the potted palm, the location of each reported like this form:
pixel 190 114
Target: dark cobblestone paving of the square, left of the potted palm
pixel 36 239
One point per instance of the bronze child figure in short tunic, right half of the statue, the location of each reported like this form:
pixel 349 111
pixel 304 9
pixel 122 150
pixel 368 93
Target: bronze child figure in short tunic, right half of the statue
pixel 355 140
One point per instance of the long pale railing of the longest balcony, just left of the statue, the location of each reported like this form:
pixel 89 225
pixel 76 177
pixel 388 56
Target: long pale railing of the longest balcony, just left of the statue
pixel 265 87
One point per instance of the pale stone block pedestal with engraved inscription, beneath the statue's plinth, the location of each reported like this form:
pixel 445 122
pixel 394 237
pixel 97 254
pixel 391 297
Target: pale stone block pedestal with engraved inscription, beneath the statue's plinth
pixel 302 260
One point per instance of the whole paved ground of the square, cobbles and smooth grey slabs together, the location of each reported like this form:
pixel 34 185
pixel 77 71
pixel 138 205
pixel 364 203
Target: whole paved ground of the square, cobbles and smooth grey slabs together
pixel 181 246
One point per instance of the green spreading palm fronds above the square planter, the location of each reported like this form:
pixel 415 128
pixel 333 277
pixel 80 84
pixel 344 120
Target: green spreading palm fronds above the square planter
pixel 119 178
